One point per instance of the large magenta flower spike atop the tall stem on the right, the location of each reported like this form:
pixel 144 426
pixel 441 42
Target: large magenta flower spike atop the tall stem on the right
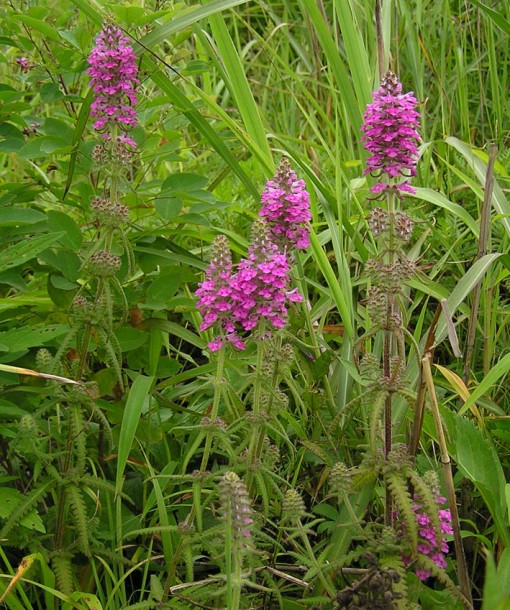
pixel 390 135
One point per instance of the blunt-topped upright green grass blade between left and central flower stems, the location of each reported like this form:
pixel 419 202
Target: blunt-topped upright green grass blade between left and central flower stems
pixel 138 395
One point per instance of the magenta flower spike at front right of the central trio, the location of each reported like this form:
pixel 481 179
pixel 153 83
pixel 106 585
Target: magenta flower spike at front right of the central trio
pixel 260 286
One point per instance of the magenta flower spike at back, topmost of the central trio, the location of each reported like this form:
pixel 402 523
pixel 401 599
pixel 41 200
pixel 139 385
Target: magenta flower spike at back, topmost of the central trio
pixel 286 208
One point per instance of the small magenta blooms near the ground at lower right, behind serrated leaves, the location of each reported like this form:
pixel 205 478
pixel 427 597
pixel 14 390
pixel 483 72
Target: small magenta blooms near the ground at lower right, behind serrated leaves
pixel 428 543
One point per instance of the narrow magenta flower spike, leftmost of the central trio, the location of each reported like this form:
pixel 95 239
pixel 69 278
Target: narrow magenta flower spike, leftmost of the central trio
pixel 215 296
